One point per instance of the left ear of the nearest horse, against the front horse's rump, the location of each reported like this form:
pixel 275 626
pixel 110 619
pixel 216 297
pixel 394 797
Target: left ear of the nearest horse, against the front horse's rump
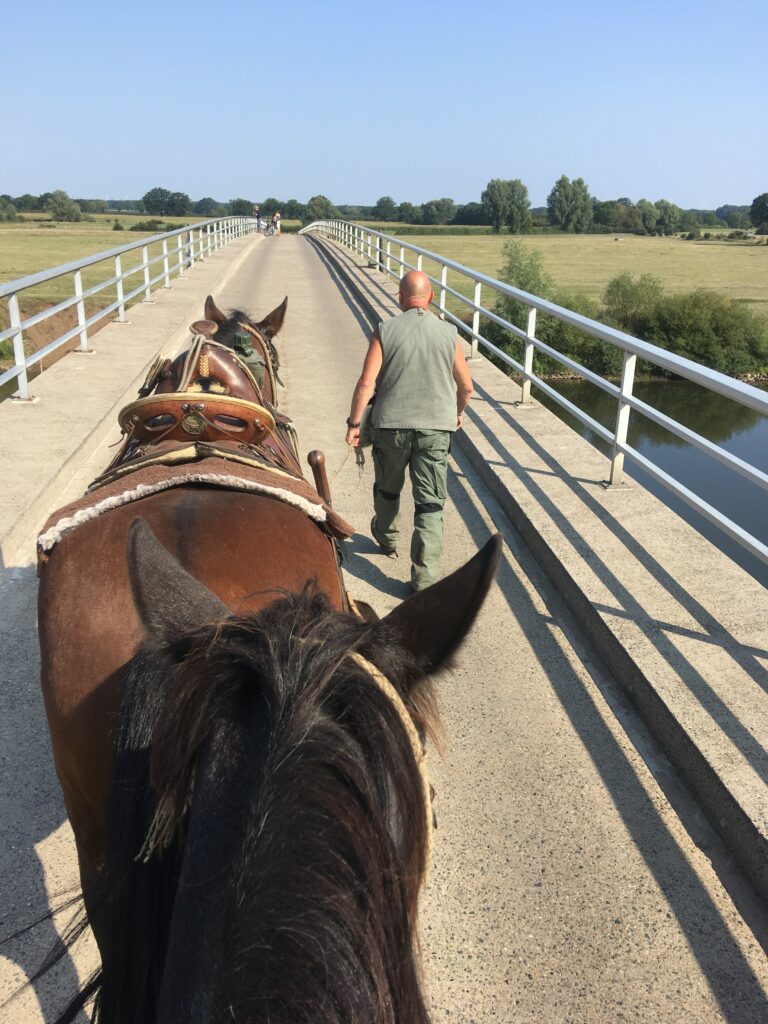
pixel 168 600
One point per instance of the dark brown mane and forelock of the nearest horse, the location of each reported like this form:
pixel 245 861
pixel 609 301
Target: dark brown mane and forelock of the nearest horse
pixel 320 905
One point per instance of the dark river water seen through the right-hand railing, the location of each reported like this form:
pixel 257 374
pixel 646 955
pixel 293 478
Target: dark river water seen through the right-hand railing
pixel 735 429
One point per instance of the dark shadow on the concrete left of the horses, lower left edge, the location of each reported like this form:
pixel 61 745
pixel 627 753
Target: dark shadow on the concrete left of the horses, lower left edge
pixel 31 804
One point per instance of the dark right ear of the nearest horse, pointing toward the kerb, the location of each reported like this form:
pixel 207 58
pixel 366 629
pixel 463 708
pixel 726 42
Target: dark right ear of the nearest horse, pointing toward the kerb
pixel 433 624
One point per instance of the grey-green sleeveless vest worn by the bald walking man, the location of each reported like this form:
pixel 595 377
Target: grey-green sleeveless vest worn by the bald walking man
pixel 415 390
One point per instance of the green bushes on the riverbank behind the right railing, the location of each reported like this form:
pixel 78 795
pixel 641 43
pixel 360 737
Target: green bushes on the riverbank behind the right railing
pixel 704 326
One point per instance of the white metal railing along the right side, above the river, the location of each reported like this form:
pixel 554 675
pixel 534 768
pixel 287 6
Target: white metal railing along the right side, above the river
pixel 377 248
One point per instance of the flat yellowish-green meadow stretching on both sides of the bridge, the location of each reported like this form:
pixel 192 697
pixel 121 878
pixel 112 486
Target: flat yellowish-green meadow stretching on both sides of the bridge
pixel 579 264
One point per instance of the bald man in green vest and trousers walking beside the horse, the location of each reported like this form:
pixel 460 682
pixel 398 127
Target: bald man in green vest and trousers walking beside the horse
pixel 416 365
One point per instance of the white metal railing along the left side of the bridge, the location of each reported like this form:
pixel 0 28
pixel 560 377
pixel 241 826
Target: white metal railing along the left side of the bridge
pixel 181 249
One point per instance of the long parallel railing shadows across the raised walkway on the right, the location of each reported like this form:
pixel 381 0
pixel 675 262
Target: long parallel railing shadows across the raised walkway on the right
pixel 628 606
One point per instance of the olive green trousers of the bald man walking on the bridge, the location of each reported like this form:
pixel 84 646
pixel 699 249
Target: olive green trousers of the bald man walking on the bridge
pixel 425 455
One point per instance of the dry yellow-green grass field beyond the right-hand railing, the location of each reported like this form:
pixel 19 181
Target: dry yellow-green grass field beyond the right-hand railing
pixel 587 263
